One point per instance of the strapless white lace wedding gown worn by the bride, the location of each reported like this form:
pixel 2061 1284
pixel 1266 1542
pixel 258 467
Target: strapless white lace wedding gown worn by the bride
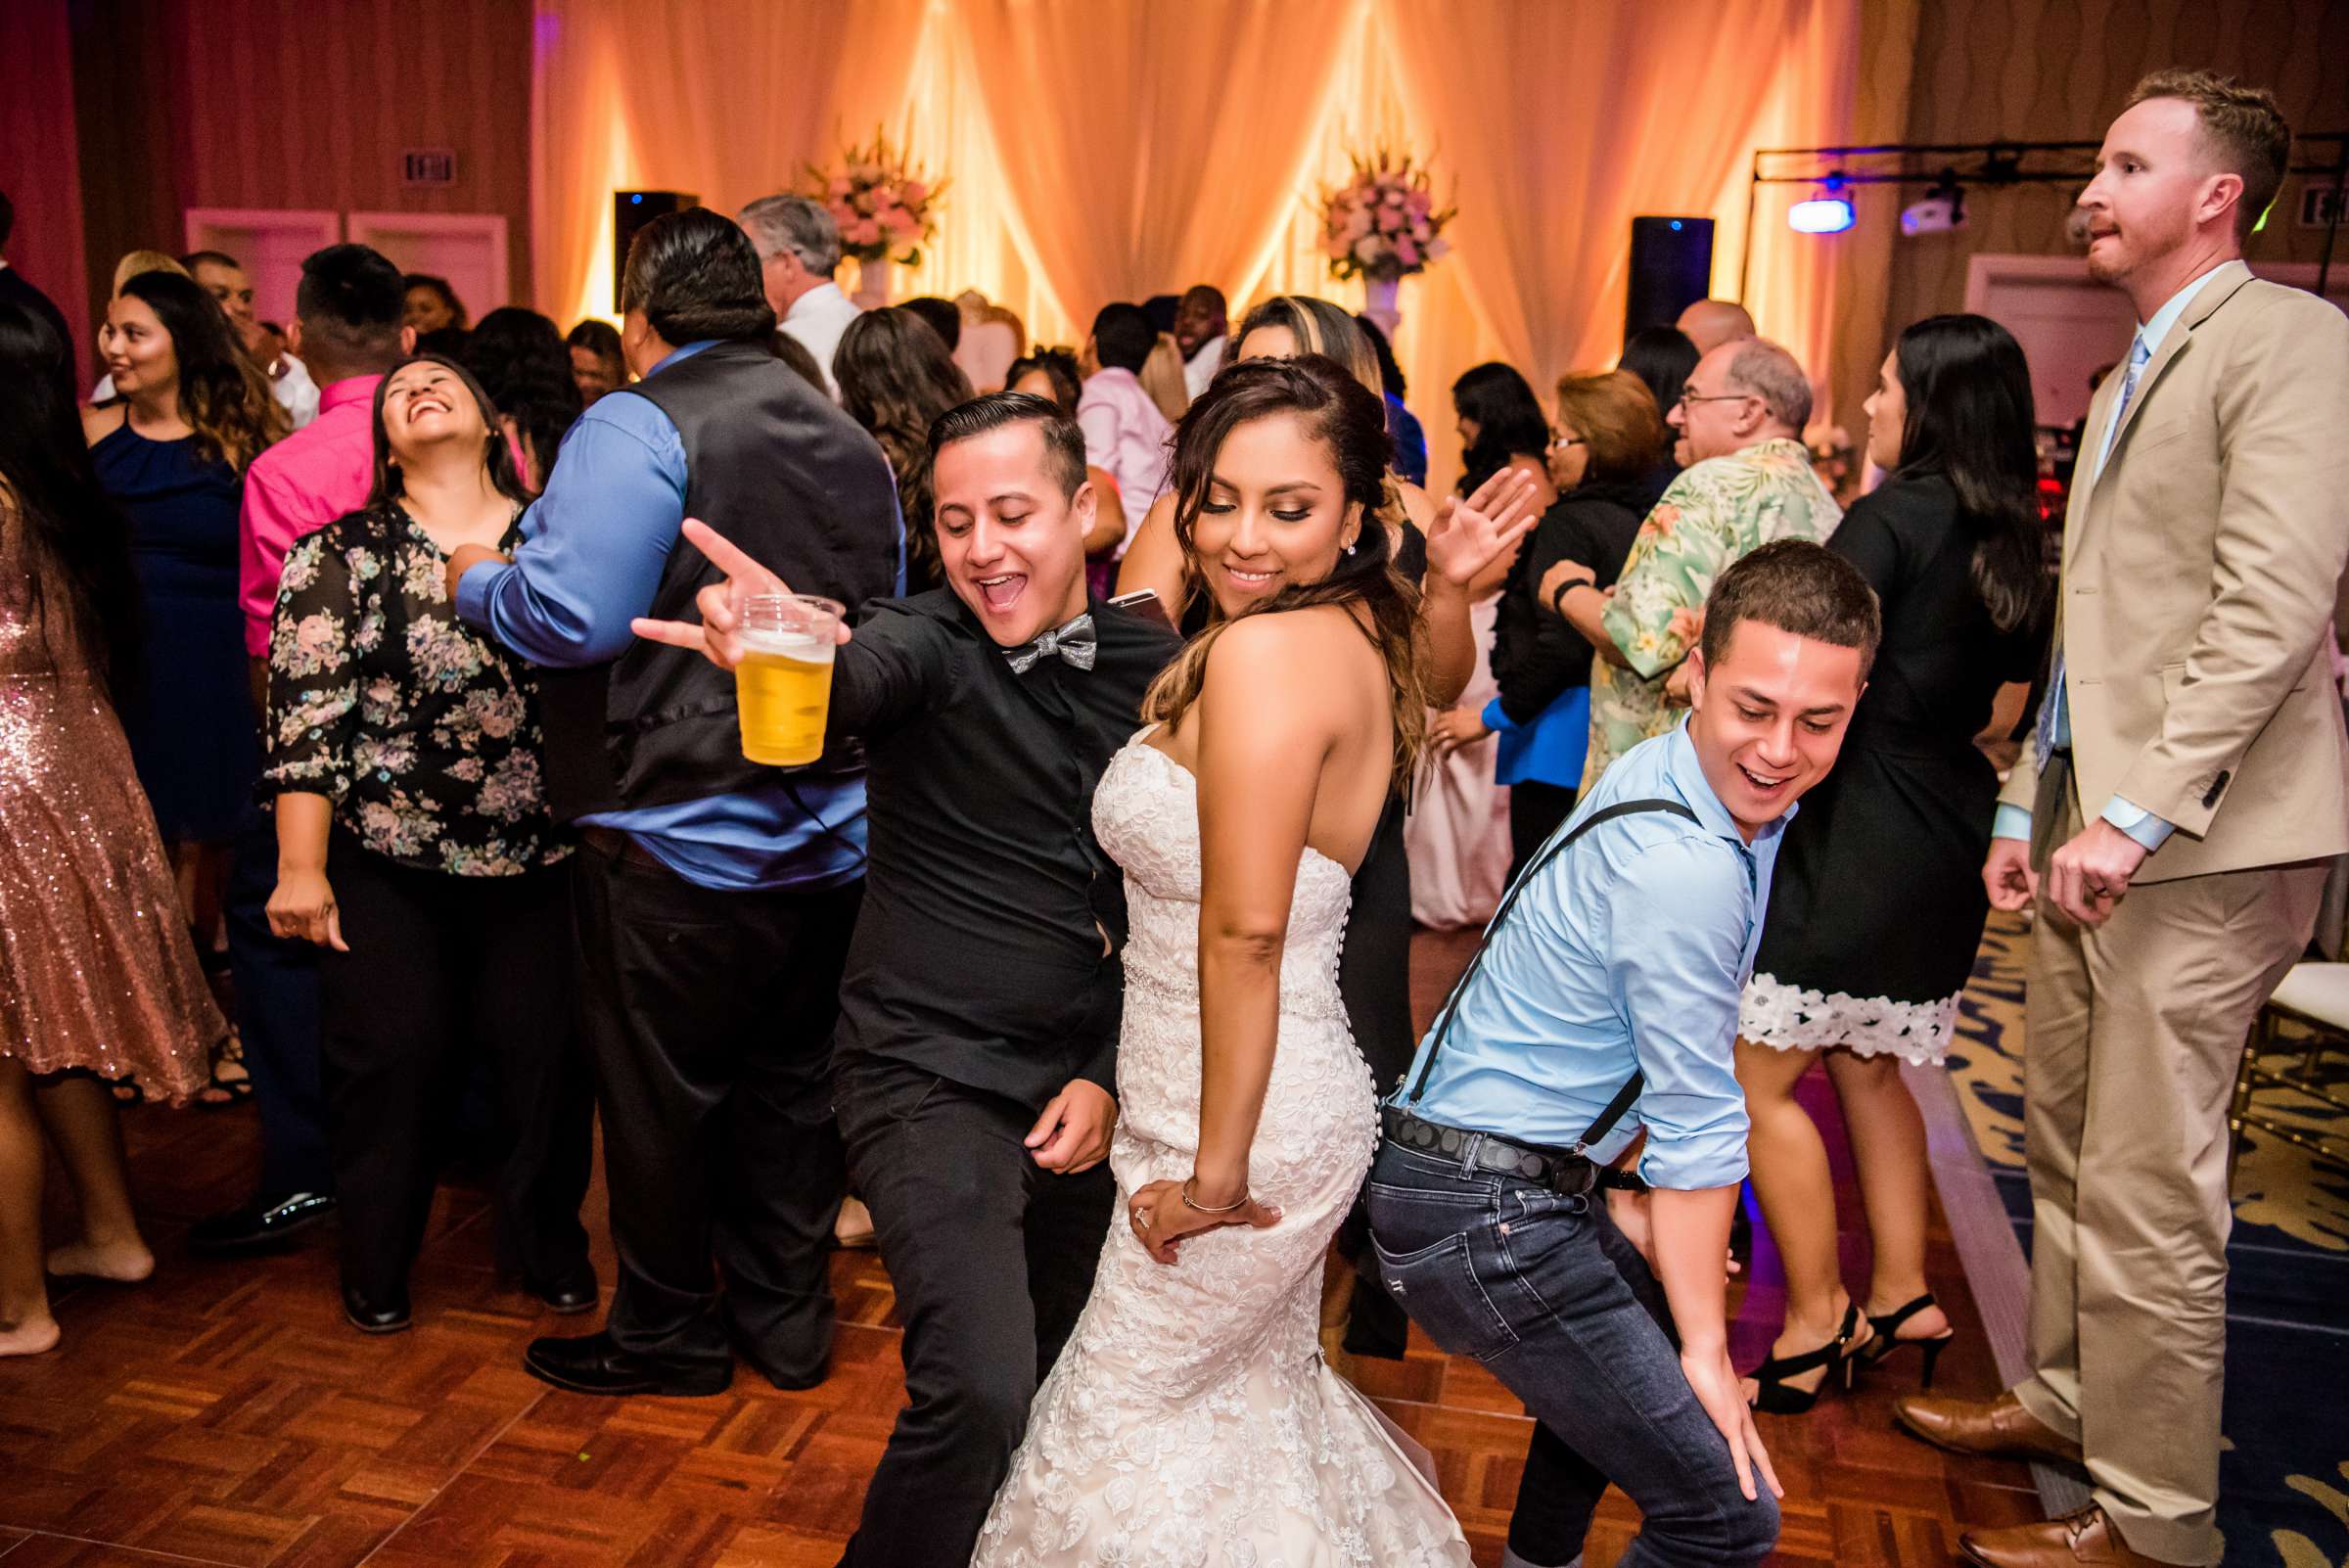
pixel 1192 1421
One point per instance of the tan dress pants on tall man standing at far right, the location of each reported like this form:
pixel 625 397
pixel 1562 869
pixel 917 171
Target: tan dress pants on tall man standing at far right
pixel 2134 1039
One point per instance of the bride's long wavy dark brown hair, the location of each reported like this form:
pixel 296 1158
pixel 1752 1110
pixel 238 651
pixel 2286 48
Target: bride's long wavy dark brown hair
pixel 1352 424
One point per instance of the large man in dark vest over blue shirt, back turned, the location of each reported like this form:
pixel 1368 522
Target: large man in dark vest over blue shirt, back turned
pixel 715 898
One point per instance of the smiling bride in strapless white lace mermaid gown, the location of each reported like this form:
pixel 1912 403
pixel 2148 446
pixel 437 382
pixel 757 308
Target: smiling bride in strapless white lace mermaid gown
pixel 1190 1419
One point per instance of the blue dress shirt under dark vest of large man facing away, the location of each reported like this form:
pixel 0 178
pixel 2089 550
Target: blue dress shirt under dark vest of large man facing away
pixel 591 557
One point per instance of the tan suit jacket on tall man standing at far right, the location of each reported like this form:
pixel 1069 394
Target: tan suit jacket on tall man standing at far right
pixel 2200 576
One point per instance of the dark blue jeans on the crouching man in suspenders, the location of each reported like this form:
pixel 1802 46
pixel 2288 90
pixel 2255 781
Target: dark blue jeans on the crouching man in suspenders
pixel 1549 1295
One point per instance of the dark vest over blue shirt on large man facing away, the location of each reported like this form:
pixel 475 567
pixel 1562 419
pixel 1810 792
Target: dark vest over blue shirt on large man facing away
pixel 776 468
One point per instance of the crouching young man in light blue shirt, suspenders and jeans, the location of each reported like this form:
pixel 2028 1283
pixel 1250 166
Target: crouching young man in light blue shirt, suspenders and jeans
pixel 1603 1006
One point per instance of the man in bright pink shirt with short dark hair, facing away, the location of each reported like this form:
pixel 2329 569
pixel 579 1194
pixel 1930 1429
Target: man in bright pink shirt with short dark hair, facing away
pixel 349 332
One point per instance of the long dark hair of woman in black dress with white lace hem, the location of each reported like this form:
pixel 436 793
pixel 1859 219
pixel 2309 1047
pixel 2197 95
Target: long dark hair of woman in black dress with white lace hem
pixel 1970 419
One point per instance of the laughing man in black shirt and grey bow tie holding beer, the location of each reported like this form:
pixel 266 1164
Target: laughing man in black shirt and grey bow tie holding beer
pixel 981 1011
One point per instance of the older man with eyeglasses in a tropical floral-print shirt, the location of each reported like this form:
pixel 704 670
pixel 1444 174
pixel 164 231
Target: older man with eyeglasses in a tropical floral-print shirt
pixel 1749 482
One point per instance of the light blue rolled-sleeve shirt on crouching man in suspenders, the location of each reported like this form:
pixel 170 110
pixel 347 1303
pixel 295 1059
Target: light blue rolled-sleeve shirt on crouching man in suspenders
pixel 1624 954
